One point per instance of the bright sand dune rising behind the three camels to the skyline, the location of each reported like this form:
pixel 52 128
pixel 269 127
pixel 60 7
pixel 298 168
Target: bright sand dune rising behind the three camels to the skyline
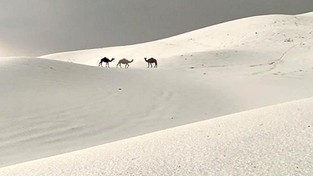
pixel 255 41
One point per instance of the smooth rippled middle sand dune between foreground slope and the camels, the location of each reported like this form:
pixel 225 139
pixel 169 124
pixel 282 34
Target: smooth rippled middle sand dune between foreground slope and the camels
pixel 50 107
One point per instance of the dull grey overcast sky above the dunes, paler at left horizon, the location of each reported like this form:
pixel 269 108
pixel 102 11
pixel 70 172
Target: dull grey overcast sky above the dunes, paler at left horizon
pixel 37 27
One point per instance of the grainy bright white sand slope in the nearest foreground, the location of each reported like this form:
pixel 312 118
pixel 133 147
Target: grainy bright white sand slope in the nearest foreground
pixel 275 140
